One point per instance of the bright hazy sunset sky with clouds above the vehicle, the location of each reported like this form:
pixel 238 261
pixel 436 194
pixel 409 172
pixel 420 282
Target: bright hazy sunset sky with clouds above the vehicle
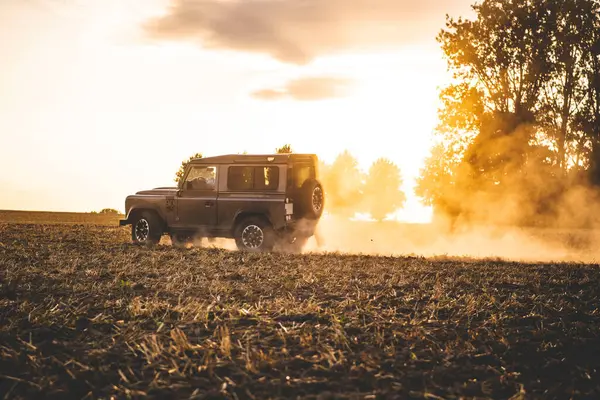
pixel 101 98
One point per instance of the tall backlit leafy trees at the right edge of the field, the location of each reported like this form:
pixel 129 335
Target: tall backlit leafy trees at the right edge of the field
pixel 519 126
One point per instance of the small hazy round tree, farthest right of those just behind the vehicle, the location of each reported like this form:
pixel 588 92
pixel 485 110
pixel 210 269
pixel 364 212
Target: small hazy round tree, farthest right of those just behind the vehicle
pixel 382 190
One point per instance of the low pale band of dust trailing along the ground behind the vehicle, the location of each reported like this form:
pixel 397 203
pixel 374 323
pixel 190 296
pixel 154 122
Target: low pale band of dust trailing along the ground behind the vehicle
pixel 431 240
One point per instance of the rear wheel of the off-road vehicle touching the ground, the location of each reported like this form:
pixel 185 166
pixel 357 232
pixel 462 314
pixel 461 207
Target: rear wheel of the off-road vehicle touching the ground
pixel 254 234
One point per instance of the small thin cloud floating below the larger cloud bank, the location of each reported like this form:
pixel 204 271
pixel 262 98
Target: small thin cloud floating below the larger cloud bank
pixel 307 89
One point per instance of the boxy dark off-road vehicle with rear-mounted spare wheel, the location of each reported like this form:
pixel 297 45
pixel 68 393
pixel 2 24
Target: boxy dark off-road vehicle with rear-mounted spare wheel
pixel 261 201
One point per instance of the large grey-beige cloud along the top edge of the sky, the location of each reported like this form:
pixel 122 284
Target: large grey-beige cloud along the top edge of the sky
pixel 297 31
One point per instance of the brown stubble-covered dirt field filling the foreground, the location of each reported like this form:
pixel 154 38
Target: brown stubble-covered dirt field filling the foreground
pixel 83 313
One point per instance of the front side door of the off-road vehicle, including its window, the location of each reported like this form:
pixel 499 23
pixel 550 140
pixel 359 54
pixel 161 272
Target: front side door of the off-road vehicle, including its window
pixel 197 199
